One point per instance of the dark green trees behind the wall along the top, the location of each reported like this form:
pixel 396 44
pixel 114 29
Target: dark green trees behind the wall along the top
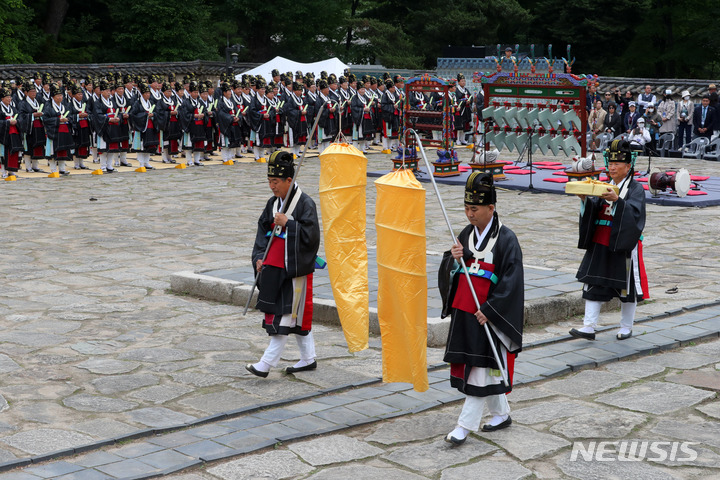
pixel 654 38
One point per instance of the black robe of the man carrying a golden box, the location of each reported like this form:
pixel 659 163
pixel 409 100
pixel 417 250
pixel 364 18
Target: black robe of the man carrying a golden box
pixel 610 234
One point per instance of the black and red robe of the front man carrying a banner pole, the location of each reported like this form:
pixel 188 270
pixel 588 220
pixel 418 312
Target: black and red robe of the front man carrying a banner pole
pixel 502 303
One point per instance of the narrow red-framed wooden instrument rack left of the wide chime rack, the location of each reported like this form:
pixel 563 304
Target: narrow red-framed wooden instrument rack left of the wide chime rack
pixel 428 111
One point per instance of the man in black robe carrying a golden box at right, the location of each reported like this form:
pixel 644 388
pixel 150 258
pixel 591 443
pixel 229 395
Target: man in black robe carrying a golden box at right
pixel 611 229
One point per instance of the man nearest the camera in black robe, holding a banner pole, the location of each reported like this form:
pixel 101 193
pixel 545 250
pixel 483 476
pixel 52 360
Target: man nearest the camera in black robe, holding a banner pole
pixel 493 257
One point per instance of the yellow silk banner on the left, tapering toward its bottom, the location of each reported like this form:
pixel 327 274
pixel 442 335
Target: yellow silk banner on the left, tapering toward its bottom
pixel 343 180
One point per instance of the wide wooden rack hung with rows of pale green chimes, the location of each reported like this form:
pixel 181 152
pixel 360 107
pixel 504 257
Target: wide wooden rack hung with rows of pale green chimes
pixel 532 111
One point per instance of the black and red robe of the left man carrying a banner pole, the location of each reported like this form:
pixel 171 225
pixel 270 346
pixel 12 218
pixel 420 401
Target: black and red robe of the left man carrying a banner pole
pixel 292 255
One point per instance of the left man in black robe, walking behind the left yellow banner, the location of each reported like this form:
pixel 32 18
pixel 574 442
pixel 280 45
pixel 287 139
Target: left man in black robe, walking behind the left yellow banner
pixel 285 274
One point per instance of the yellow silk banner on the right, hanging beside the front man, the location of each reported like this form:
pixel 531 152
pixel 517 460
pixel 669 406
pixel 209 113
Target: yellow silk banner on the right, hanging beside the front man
pixel 402 277
